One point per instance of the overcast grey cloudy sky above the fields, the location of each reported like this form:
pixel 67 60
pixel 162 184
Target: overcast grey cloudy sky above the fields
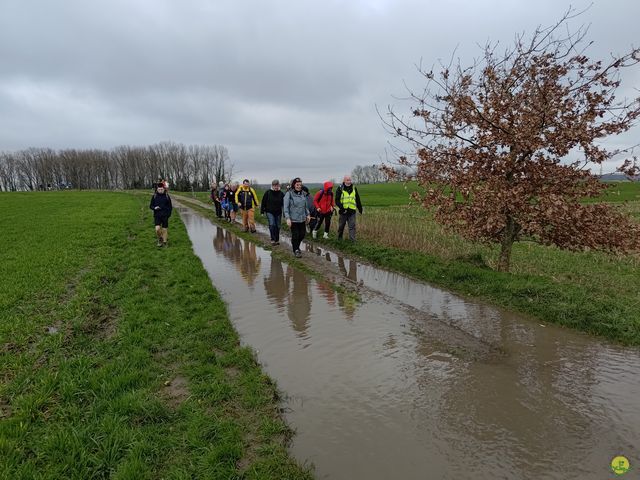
pixel 290 87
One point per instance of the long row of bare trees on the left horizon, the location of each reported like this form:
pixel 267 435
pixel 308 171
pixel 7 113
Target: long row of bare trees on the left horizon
pixel 124 167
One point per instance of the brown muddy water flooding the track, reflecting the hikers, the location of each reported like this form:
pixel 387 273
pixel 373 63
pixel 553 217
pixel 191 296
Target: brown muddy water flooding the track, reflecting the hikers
pixel 417 383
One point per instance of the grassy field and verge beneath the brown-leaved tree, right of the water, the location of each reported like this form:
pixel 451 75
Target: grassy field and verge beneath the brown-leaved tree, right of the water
pixel 589 291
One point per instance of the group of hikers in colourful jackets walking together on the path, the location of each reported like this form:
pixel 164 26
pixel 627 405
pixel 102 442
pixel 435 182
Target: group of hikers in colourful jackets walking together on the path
pixel 300 209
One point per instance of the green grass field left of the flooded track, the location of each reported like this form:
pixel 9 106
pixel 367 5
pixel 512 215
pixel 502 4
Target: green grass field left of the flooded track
pixel 118 358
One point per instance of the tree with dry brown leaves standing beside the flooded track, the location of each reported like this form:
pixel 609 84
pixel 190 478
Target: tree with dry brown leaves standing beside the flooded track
pixel 495 143
